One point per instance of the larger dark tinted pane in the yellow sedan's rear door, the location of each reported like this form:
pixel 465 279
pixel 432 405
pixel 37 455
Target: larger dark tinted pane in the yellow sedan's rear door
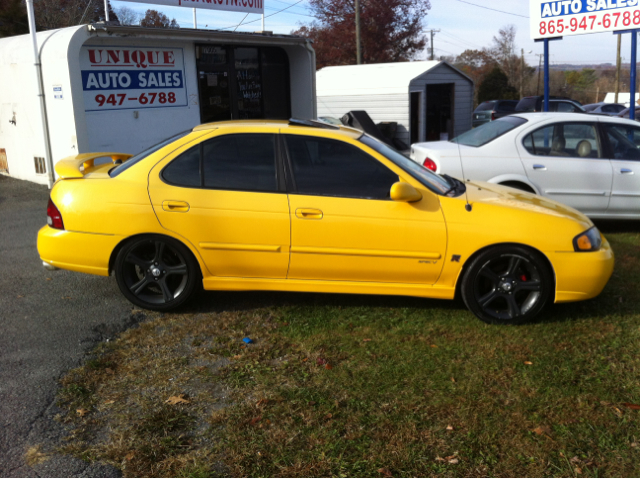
pixel 240 162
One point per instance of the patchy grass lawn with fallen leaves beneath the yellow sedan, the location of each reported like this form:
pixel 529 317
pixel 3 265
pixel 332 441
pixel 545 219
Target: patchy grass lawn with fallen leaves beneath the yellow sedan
pixel 368 386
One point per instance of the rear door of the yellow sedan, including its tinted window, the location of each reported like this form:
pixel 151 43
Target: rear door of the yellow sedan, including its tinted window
pixel 226 196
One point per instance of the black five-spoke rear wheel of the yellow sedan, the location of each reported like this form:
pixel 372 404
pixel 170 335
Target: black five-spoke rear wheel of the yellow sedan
pixel 156 272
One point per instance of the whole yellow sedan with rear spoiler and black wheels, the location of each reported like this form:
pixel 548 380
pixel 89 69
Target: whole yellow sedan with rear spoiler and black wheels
pixel 304 206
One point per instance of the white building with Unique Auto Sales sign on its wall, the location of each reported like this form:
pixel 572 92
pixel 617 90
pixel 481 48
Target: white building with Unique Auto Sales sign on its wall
pixel 123 88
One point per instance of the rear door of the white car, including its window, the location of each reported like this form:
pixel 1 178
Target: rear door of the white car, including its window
pixel 565 161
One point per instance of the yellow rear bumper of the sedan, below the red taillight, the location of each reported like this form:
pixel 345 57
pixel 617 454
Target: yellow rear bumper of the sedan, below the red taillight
pixel 82 252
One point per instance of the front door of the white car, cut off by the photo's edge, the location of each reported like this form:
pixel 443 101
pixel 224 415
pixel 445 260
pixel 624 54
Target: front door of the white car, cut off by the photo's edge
pixel 624 153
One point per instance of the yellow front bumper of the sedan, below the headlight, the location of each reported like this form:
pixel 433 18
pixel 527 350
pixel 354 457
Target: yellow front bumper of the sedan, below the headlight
pixel 581 276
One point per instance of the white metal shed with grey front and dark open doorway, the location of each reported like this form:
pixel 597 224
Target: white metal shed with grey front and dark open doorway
pixel 430 101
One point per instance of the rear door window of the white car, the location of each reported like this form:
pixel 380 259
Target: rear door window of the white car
pixel 577 140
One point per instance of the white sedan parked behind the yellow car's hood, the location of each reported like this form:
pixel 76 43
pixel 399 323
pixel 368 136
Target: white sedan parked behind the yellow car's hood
pixel 591 163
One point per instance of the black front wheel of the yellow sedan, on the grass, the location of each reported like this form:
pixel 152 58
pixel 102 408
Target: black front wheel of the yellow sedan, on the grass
pixel 507 285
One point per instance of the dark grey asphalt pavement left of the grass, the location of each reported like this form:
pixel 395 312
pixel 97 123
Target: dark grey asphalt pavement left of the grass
pixel 49 321
